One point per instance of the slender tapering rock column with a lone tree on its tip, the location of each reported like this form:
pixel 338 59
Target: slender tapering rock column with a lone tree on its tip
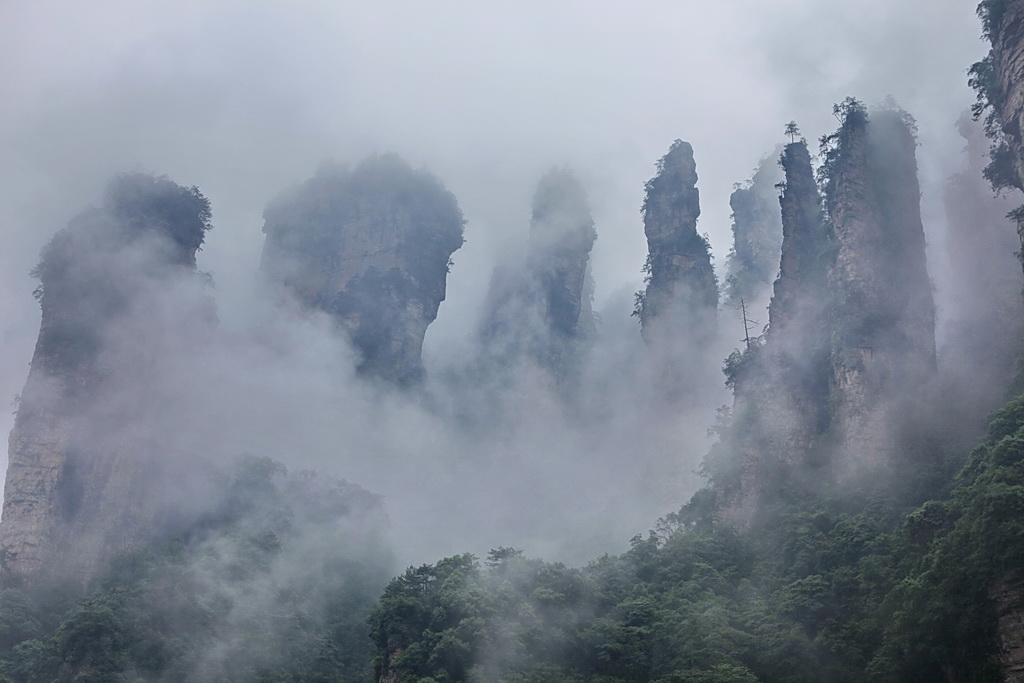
pixel 781 390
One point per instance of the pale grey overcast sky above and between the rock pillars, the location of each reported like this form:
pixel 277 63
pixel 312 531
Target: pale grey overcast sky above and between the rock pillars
pixel 244 99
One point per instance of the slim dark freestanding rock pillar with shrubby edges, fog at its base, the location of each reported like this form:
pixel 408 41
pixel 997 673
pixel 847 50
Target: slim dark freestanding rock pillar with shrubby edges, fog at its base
pixel 681 300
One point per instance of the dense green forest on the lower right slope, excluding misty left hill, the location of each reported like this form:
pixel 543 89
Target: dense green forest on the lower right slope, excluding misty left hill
pixel 828 586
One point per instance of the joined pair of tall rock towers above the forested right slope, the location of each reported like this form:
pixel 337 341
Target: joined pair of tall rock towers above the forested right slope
pixel 851 336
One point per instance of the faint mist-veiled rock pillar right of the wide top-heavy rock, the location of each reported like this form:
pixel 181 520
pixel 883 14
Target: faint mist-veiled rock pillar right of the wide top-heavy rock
pixel 542 309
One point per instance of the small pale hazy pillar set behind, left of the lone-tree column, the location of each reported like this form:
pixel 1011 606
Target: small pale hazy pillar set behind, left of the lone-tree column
pixel 757 236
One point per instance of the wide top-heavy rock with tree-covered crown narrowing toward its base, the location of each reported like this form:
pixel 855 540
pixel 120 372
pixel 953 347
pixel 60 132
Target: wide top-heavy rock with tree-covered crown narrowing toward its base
pixel 372 248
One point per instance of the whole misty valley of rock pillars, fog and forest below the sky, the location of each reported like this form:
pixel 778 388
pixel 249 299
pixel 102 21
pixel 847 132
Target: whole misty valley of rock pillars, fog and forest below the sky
pixel 801 462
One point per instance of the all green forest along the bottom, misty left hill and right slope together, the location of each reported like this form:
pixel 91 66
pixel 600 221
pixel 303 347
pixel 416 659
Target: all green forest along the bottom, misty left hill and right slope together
pixel 828 586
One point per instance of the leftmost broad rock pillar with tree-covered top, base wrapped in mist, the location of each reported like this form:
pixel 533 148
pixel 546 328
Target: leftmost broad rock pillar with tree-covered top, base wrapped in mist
pixel 76 487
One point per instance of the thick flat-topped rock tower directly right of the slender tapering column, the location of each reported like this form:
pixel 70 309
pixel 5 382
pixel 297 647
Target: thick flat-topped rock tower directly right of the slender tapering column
pixel 883 340
